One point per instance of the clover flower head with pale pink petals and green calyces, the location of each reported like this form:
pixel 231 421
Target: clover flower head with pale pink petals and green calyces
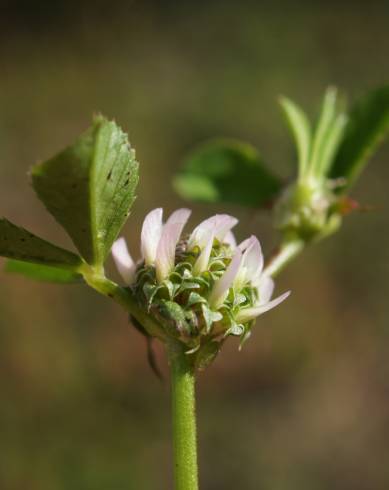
pixel 200 287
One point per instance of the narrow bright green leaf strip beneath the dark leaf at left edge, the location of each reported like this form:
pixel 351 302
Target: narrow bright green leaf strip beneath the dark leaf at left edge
pixel 42 272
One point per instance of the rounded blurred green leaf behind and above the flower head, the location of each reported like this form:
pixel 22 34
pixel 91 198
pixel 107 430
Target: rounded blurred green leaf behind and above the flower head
pixel 226 171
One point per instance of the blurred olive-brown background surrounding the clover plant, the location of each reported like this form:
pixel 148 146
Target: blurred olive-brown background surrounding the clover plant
pixel 306 404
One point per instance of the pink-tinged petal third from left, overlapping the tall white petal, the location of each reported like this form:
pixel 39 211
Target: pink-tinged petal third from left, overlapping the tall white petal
pixel 166 251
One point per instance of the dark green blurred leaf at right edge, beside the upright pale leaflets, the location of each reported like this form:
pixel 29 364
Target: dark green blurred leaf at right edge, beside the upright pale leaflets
pixel 368 125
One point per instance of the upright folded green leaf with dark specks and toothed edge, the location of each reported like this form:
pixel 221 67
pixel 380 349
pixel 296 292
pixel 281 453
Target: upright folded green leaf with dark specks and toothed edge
pixel 89 188
